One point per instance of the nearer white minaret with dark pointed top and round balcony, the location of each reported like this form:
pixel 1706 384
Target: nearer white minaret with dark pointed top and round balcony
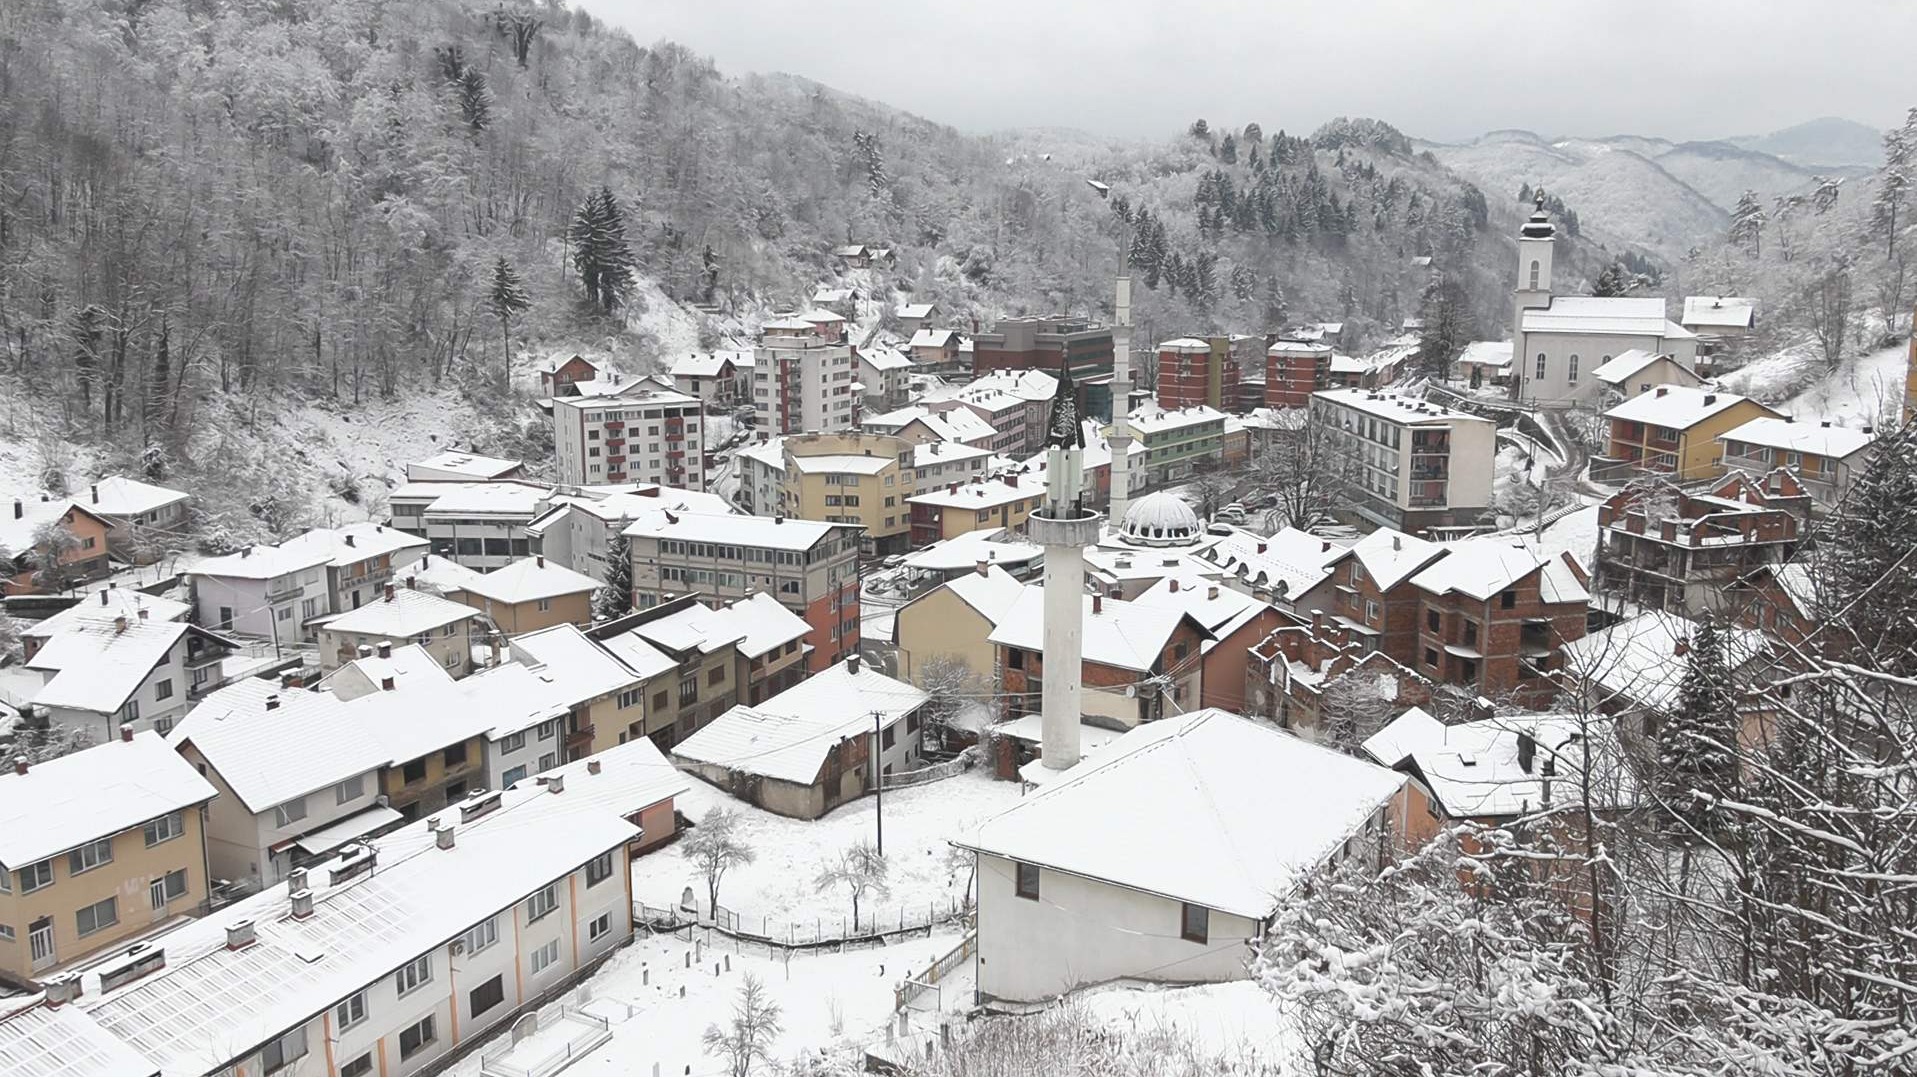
pixel 1065 528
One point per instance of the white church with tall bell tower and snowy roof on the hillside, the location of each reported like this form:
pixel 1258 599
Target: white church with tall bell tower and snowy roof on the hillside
pixel 1559 340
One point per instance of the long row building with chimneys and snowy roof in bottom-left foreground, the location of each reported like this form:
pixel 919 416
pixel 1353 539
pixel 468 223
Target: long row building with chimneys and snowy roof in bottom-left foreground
pixel 392 956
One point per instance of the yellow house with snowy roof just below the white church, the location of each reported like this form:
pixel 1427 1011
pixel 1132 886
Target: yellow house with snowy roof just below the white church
pixel 1674 431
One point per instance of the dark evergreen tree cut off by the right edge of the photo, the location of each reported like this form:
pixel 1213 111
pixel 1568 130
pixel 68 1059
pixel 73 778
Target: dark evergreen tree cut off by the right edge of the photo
pixel 1868 571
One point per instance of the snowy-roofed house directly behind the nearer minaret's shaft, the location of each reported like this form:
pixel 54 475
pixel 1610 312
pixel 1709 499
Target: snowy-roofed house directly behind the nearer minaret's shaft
pixel 1140 663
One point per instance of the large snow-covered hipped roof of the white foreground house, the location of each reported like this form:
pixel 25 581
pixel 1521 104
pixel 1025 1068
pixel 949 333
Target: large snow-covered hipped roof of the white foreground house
pixel 1186 808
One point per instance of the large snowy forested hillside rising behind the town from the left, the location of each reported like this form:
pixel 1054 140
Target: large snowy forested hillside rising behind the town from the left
pixel 310 199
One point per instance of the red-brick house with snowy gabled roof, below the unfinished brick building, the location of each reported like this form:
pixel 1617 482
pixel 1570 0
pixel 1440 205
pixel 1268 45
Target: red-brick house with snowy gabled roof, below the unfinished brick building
pixel 1496 617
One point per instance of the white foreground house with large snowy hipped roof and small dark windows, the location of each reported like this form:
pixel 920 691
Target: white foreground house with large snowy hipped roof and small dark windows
pixel 1166 855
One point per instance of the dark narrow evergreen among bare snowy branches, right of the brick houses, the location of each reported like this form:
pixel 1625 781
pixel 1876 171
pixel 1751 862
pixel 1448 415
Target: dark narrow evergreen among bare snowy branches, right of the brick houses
pixel 1698 741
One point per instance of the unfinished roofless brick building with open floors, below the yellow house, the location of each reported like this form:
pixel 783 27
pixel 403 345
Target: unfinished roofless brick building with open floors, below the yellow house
pixel 1663 548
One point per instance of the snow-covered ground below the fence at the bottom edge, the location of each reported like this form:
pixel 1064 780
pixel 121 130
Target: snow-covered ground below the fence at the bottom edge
pixel 827 1002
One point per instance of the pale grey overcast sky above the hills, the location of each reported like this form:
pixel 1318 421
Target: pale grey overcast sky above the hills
pixel 1437 70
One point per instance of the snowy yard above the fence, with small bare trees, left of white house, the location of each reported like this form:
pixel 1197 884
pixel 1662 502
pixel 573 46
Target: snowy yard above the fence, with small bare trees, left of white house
pixel 777 889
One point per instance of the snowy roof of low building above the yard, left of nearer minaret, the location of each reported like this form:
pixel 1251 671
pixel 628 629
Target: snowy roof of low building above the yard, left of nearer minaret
pixel 791 736
